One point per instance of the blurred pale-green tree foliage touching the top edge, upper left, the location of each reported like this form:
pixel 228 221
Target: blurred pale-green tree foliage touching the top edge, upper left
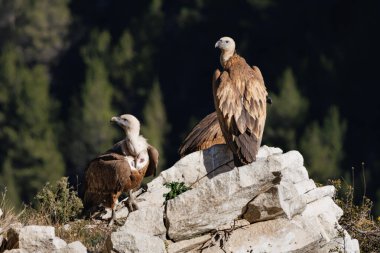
pixel 42 28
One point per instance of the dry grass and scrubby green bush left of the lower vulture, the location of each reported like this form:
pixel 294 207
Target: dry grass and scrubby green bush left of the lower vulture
pixel 58 205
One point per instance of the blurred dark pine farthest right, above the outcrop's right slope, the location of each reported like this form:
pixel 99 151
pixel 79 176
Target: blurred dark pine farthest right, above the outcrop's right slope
pixel 322 146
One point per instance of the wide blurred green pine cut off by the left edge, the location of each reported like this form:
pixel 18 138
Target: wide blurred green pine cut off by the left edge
pixel 29 153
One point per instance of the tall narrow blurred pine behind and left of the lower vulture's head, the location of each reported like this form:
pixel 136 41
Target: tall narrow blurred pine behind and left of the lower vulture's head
pixel 89 130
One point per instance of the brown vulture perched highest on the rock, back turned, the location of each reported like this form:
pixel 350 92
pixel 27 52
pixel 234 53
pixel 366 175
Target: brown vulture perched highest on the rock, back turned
pixel 240 100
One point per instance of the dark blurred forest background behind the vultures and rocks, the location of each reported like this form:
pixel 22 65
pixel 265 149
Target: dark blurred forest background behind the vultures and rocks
pixel 66 67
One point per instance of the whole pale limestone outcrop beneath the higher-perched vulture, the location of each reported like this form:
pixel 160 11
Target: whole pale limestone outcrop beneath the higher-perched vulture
pixel 270 205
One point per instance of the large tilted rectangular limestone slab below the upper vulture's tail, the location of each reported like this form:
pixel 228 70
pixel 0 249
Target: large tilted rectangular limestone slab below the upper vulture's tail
pixel 216 201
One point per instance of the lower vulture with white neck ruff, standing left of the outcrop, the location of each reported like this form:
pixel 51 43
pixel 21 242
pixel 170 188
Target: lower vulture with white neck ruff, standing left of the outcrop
pixel 120 169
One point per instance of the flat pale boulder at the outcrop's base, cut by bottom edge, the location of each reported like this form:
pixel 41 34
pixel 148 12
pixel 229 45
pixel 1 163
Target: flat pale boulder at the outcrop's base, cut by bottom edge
pixel 279 235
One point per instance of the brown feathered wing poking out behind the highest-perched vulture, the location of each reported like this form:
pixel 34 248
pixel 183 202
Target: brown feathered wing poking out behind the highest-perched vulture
pixel 205 134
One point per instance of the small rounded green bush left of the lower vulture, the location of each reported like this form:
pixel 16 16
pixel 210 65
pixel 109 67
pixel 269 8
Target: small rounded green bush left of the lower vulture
pixel 57 203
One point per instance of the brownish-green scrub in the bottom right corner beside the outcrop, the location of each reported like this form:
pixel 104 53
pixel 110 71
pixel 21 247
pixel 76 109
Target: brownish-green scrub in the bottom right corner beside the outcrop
pixel 357 219
